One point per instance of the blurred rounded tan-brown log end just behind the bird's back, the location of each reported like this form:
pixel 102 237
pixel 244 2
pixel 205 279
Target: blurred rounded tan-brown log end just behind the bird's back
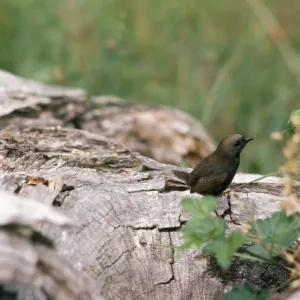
pixel 166 134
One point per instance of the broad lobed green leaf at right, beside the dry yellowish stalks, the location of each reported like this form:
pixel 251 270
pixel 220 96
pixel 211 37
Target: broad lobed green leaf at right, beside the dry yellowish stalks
pixel 277 231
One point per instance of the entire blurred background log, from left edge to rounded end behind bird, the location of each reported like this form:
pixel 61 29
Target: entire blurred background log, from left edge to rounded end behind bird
pixel 165 134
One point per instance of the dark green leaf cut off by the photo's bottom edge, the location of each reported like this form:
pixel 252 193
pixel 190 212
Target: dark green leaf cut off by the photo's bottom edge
pixel 246 292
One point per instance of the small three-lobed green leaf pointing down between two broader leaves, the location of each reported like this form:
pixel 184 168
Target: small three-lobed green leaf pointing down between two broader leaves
pixel 224 248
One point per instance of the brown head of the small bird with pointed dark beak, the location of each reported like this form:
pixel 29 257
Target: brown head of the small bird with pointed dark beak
pixel 233 145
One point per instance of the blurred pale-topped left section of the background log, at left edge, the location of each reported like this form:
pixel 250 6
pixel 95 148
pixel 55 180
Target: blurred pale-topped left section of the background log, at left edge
pixel 26 103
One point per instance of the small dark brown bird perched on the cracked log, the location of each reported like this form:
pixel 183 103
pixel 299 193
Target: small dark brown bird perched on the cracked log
pixel 216 171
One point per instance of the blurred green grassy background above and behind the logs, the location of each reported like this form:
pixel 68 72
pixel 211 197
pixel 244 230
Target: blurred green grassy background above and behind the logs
pixel 213 59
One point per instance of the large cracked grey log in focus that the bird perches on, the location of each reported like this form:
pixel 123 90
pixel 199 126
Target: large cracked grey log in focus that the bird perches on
pixel 127 208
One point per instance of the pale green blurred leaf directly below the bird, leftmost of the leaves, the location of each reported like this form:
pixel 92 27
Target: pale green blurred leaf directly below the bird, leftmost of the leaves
pixel 198 231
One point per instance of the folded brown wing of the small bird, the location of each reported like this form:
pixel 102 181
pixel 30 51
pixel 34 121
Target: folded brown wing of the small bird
pixel 205 184
